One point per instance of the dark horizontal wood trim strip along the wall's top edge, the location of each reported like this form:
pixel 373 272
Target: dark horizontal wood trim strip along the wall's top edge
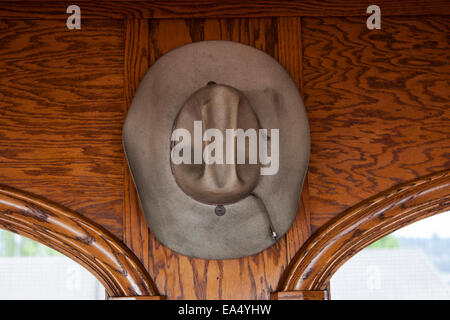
pixel 216 8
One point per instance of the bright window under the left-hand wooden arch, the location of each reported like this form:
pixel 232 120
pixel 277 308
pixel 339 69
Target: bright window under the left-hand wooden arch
pixel 30 270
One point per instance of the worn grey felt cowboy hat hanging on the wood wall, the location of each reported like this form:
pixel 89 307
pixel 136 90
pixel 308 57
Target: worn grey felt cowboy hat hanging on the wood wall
pixel 215 210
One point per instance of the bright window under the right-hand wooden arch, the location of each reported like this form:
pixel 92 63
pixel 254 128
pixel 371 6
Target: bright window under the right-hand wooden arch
pixel 411 263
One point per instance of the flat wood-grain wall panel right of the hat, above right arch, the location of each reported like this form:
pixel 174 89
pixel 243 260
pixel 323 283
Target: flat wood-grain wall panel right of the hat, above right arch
pixel 378 103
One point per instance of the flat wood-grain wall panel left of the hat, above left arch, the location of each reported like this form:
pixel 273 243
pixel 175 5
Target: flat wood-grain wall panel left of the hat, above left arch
pixel 61 113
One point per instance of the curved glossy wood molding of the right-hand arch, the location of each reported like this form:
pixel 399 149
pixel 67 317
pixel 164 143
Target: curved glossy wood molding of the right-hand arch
pixel 343 237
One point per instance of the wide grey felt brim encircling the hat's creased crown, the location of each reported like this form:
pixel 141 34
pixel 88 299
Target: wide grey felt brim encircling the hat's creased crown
pixel 180 222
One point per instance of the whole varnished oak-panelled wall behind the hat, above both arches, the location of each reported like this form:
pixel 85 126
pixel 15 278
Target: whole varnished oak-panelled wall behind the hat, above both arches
pixel 378 103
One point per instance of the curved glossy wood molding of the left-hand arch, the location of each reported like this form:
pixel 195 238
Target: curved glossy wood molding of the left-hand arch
pixel 68 232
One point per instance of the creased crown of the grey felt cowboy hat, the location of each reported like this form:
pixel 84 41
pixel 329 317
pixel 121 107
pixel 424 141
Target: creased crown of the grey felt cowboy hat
pixel 219 107
